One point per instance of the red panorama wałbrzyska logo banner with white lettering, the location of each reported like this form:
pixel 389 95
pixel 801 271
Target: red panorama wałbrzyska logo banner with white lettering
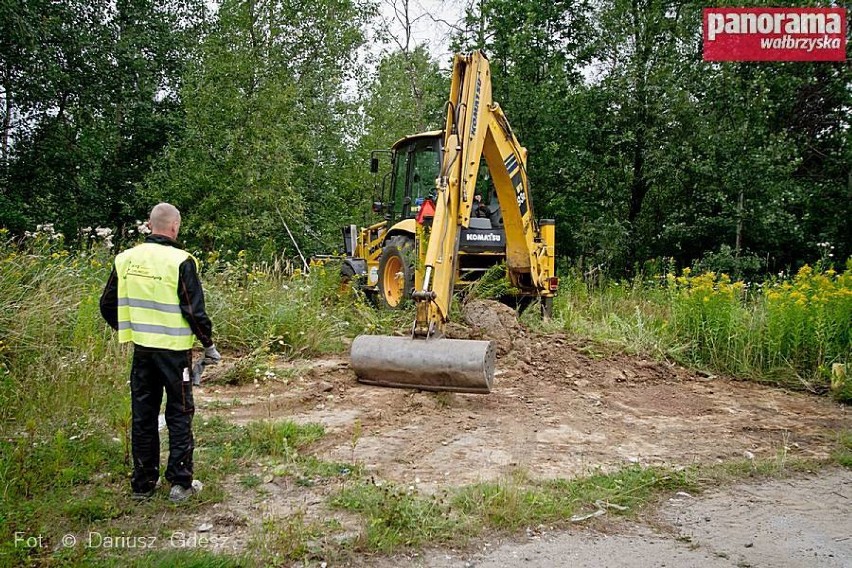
pixel 774 34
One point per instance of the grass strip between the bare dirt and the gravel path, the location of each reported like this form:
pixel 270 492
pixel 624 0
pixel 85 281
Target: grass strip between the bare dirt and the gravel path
pixel 395 518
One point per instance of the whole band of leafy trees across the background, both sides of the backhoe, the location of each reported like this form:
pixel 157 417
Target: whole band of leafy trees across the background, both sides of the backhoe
pixel 262 113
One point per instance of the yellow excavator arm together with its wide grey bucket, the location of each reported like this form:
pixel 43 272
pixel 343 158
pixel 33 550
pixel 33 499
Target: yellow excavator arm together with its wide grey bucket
pixel 475 127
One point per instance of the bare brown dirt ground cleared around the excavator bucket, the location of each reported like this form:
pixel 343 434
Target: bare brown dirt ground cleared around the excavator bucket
pixel 559 408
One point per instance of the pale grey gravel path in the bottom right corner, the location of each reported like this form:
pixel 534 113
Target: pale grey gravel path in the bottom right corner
pixel 802 523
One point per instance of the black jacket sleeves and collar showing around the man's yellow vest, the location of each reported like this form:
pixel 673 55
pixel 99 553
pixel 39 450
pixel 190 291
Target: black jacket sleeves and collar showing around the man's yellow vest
pixel 190 296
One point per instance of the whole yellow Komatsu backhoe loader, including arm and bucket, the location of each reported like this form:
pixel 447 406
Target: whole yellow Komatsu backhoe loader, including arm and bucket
pixel 424 254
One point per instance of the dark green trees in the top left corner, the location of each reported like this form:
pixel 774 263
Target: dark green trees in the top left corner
pixel 88 100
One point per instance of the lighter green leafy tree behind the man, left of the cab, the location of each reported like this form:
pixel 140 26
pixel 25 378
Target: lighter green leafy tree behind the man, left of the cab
pixel 265 123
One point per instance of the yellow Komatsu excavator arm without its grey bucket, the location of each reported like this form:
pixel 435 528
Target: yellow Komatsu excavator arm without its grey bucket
pixel 477 127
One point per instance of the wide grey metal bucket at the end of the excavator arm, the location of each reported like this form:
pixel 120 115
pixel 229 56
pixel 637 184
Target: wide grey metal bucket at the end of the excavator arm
pixel 457 365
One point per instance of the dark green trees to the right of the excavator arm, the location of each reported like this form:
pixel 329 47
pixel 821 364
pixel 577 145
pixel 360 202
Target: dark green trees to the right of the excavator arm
pixel 639 149
